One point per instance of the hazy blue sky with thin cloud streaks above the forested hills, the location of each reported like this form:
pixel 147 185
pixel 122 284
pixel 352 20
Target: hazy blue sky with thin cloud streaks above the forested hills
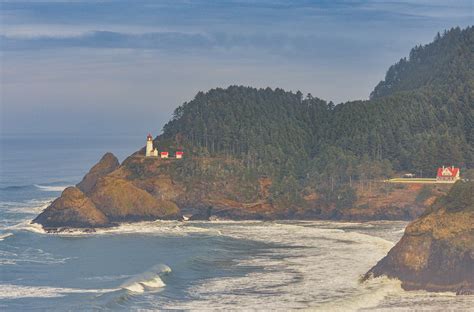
pixel 122 67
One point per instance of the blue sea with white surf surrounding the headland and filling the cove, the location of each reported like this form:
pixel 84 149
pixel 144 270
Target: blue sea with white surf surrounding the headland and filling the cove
pixel 222 265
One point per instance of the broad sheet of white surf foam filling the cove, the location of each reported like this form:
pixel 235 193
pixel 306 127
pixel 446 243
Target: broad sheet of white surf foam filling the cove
pixel 313 263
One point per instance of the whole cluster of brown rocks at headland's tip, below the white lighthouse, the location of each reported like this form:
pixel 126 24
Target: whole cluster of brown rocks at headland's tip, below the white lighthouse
pixel 106 195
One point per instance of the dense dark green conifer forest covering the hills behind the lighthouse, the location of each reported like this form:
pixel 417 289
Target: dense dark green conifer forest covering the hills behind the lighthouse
pixel 420 117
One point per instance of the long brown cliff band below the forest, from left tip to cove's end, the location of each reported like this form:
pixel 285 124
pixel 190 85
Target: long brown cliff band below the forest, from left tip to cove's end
pixel 151 188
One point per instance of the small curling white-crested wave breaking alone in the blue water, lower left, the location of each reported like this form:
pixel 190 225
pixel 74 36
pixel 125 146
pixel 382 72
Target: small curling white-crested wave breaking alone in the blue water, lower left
pixel 147 281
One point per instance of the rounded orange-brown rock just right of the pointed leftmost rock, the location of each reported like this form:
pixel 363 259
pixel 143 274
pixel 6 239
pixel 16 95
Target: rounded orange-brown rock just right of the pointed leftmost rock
pixel 120 200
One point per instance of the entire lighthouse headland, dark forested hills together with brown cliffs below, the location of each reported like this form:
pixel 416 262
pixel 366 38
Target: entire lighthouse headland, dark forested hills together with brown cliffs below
pixel 273 154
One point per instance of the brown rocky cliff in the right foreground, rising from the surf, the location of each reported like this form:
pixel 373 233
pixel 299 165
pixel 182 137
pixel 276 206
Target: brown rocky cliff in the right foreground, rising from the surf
pixel 436 253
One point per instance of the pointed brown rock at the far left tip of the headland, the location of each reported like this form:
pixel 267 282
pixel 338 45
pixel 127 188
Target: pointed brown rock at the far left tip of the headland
pixel 72 209
